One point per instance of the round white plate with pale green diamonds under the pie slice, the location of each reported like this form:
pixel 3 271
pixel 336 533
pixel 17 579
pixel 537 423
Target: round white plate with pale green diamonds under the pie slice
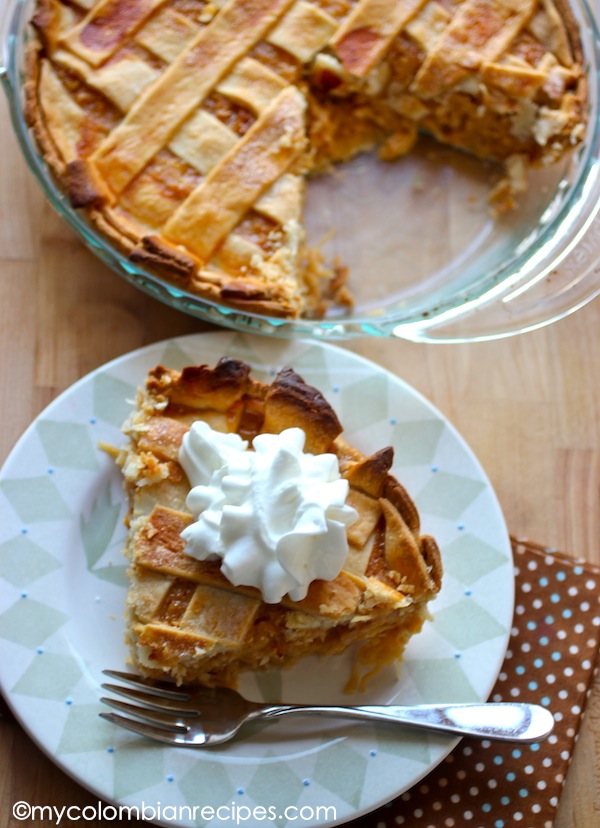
pixel 62 591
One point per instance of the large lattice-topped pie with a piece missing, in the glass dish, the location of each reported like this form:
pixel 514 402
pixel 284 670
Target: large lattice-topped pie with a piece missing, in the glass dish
pixel 186 128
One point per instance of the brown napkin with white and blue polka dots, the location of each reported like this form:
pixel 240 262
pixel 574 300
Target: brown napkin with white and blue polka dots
pixel 551 660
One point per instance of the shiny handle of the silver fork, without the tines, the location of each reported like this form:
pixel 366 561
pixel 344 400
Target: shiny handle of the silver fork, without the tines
pixel 504 721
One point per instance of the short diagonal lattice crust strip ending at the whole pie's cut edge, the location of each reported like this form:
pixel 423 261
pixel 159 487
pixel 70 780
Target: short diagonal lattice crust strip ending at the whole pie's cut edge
pixel 216 206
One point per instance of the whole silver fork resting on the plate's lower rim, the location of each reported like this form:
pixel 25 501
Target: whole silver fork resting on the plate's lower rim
pixel 200 716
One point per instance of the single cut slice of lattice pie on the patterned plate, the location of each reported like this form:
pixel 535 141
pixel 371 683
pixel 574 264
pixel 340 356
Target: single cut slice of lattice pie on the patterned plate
pixel 186 620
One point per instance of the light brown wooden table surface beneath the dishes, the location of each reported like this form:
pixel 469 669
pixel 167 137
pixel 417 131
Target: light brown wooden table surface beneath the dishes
pixel 529 406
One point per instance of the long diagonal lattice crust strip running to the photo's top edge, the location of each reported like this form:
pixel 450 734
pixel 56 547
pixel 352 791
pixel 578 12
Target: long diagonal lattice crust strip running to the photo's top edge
pixel 154 119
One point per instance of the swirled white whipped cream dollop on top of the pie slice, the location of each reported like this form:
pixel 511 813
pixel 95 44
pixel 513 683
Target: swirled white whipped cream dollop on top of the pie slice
pixel 275 516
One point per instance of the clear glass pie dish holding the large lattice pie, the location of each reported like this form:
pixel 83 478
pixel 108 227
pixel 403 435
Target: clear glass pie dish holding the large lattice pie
pixel 427 261
